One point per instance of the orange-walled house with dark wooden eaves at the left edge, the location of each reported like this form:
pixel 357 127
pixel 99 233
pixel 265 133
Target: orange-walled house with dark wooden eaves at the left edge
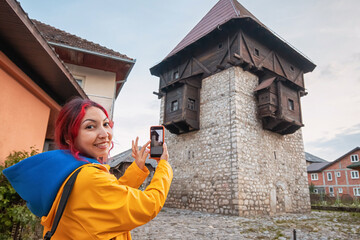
pixel 34 83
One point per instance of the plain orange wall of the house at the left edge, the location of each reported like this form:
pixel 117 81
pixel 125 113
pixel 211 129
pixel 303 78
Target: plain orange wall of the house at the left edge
pixel 24 117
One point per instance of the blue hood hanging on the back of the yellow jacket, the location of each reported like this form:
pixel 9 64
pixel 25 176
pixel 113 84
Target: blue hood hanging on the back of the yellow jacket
pixel 37 179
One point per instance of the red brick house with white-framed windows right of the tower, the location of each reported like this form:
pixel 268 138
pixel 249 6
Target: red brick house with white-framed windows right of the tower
pixel 336 178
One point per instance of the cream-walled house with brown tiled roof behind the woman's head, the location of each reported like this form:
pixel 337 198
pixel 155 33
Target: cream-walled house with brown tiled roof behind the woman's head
pixel 100 71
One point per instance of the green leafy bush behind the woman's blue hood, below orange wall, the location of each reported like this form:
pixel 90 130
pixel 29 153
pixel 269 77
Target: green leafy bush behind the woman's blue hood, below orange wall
pixel 16 220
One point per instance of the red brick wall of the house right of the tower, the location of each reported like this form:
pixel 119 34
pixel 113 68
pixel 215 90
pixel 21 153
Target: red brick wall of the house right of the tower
pixel 345 181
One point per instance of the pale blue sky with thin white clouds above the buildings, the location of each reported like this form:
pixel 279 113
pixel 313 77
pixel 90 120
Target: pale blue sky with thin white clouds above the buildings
pixel 326 31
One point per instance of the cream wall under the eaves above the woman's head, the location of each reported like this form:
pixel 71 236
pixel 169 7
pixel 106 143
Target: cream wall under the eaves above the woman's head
pixel 98 85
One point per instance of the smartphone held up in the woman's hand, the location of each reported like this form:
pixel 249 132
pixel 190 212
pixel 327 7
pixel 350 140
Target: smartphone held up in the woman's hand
pixel 157 136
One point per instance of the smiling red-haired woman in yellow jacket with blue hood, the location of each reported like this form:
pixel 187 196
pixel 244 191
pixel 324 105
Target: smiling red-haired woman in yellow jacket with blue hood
pixel 100 206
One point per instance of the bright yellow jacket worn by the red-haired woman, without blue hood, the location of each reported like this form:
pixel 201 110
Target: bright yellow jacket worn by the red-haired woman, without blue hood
pixel 103 207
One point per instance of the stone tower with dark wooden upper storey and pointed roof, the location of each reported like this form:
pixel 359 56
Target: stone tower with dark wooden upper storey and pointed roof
pixel 230 101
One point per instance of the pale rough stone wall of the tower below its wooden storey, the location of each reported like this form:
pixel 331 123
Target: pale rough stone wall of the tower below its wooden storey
pixel 231 165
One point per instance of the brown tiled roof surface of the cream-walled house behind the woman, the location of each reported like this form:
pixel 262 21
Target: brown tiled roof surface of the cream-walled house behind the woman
pixel 54 35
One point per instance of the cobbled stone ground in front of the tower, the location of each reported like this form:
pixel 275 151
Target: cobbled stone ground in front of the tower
pixel 185 224
